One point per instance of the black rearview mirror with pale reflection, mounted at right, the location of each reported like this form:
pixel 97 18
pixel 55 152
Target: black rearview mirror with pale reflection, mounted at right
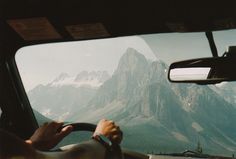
pixel 205 70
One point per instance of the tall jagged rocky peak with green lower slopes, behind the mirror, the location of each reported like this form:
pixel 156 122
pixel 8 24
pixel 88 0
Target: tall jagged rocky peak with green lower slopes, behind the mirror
pixel 139 97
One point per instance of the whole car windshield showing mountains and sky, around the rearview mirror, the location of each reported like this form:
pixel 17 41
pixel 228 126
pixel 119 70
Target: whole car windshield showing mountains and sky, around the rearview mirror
pixel 125 79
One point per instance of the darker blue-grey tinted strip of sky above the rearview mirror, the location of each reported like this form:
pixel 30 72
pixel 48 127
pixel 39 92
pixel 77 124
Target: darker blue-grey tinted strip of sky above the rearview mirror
pixel 181 46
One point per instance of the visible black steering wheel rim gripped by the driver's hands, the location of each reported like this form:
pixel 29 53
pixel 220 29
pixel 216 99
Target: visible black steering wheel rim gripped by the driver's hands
pixel 116 150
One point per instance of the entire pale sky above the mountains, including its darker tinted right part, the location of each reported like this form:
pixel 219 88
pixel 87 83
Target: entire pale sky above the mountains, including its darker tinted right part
pixel 40 64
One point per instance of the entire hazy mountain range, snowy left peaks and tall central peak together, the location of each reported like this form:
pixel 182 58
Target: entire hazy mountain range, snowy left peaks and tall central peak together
pixel 156 116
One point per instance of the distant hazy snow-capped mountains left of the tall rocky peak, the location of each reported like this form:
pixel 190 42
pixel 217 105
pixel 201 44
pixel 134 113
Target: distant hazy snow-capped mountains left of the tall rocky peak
pixel 59 98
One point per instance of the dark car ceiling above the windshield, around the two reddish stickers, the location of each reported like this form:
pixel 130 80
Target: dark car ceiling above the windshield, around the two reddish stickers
pixel 120 18
